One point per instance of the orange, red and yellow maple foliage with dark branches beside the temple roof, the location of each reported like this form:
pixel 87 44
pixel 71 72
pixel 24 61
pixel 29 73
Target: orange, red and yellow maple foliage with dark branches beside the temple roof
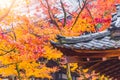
pixel 26 41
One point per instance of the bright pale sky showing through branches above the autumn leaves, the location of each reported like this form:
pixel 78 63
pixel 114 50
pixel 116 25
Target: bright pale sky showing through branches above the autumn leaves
pixel 20 7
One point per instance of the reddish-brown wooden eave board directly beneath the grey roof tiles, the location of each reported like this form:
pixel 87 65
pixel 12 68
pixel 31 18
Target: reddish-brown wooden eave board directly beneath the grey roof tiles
pixel 93 54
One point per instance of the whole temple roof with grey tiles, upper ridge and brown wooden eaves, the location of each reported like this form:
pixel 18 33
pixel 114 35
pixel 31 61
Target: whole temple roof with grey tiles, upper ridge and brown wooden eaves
pixel 98 51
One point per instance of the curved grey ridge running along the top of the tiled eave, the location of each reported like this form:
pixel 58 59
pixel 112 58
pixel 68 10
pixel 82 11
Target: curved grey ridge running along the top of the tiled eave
pixel 83 38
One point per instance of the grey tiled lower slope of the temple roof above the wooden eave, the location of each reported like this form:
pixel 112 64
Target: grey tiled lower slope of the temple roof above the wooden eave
pixel 87 43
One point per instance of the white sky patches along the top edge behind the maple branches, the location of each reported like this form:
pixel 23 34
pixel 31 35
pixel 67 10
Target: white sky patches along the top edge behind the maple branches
pixel 22 9
